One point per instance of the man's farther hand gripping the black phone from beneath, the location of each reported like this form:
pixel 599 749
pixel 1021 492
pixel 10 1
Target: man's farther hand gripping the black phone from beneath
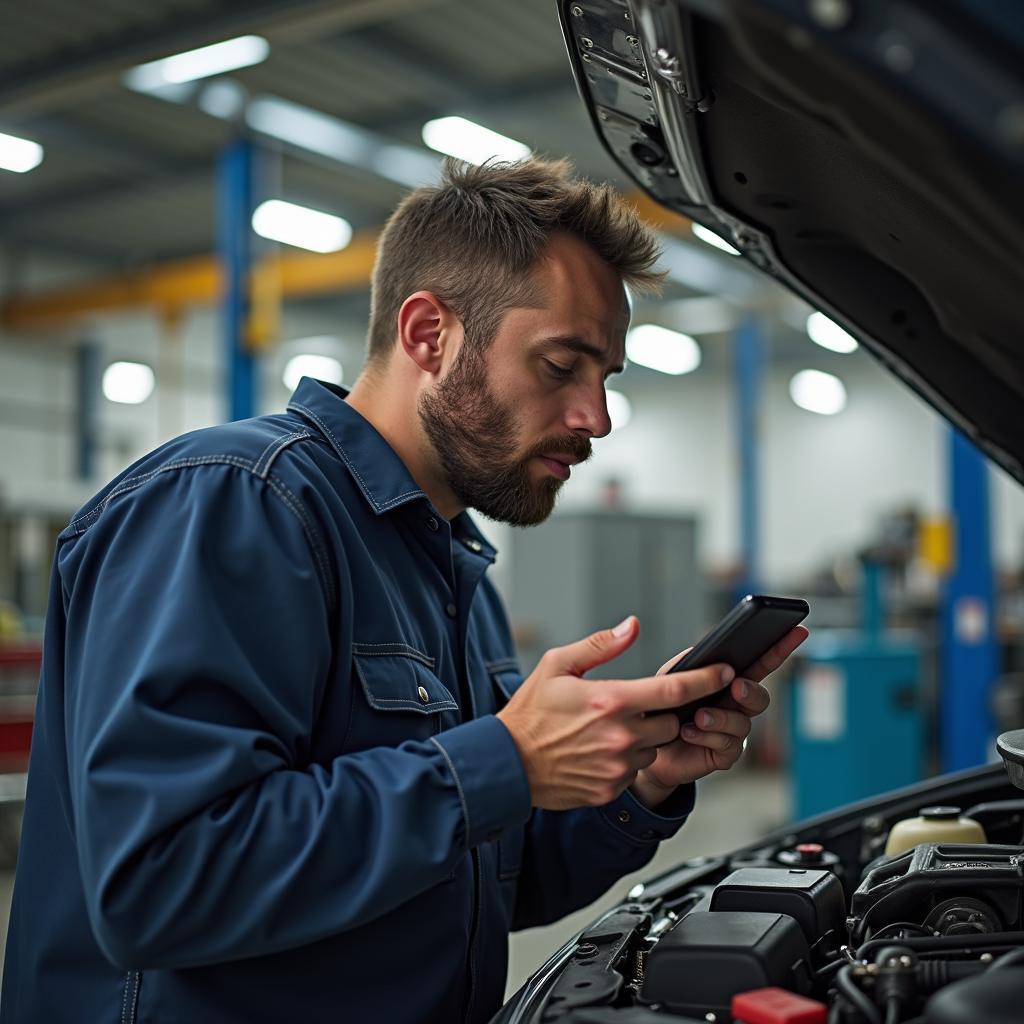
pixel 715 741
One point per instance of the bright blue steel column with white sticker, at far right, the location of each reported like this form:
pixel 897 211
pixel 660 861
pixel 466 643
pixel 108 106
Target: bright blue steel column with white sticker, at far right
pixel 970 650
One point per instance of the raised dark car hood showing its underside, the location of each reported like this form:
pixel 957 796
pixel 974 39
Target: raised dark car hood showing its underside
pixel 869 155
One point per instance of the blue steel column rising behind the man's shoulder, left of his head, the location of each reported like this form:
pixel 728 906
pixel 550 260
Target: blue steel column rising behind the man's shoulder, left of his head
pixel 236 210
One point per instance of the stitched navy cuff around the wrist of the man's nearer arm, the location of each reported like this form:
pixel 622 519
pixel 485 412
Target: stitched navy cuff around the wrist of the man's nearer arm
pixel 490 777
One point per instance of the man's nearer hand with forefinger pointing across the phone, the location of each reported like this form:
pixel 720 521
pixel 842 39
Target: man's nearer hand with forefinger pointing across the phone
pixel 583 742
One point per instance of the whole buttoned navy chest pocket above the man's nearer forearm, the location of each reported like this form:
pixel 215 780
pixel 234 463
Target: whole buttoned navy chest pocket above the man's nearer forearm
pixel 402 699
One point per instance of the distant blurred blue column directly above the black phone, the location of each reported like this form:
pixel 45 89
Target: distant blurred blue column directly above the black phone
pixel 748 369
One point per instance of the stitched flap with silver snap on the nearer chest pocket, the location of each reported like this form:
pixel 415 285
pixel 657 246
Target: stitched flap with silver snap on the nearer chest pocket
pixel 398 678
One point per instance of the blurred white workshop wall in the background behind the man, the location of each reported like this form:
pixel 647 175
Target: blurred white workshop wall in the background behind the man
pixel 825 480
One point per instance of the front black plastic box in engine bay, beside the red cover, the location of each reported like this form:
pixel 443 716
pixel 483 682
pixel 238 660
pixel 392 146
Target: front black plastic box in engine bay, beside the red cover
pixel 709 957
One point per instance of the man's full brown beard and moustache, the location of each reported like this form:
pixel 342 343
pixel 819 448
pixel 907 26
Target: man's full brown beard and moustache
pixel 474 434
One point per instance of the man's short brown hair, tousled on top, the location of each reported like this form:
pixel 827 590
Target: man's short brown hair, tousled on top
pixel 475 239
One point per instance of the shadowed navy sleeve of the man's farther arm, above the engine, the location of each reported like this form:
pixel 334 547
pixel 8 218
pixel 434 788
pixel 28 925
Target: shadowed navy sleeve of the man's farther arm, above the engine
pixel 572 858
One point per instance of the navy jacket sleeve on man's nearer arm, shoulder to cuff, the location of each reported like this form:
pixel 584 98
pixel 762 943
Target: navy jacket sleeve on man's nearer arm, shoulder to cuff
pixel 198 638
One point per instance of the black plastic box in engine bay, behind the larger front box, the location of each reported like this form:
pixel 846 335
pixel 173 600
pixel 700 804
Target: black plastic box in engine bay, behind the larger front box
pixel 814 899
